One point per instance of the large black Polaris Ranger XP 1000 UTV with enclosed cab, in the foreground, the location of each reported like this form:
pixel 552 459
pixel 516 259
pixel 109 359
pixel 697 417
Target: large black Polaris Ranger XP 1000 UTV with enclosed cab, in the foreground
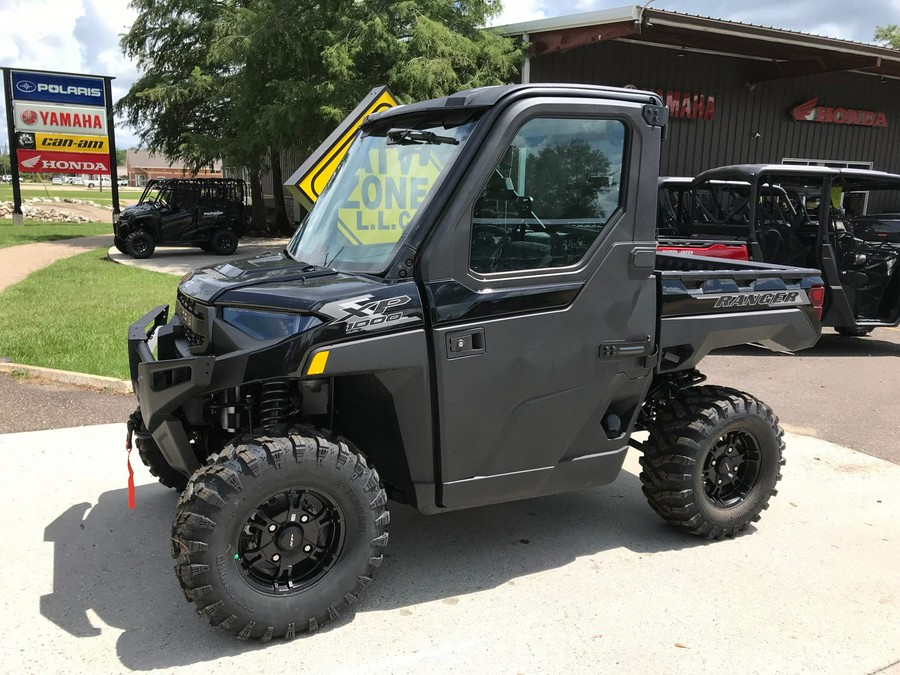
pixel 473 312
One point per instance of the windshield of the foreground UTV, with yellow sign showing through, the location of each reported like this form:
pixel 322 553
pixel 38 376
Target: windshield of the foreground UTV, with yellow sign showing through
pixel 370 203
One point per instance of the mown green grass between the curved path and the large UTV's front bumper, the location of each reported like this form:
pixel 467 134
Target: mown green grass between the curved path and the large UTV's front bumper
pixel 74 315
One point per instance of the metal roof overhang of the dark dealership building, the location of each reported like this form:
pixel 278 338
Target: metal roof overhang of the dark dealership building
pixel 780 53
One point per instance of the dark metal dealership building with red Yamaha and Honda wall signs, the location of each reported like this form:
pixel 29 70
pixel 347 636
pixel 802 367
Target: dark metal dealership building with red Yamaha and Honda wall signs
pixel 736 93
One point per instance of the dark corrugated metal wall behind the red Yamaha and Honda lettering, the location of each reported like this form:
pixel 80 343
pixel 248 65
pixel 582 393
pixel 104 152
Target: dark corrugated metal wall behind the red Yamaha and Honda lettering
pixel 741 112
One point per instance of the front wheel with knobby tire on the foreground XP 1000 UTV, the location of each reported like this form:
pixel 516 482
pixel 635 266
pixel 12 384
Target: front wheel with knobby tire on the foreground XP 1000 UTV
pixel 279 535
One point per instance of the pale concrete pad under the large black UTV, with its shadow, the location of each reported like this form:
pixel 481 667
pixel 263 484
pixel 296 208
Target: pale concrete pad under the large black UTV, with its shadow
pixel 585 582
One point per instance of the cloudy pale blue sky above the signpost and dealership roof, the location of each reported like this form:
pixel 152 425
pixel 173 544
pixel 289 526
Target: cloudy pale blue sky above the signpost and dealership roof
pixel 82 36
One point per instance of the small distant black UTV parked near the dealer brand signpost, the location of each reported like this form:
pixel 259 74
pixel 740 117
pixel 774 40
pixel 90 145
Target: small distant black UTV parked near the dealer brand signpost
pixel 206 212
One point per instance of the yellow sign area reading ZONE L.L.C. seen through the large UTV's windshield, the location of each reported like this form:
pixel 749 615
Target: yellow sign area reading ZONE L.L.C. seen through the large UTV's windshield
pixel 387 191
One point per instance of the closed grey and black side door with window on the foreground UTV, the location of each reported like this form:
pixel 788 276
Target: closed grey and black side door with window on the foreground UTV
pixel 543 306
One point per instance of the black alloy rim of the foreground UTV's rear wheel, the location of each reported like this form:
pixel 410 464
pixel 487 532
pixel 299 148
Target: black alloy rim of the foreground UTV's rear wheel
pixel 731 469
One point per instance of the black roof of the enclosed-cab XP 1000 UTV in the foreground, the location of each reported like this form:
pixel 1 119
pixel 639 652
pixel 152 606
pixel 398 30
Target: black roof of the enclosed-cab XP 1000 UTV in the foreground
pixel 485 97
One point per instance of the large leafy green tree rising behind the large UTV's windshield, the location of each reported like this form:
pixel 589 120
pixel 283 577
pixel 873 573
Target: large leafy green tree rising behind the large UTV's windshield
pixel 241 80
